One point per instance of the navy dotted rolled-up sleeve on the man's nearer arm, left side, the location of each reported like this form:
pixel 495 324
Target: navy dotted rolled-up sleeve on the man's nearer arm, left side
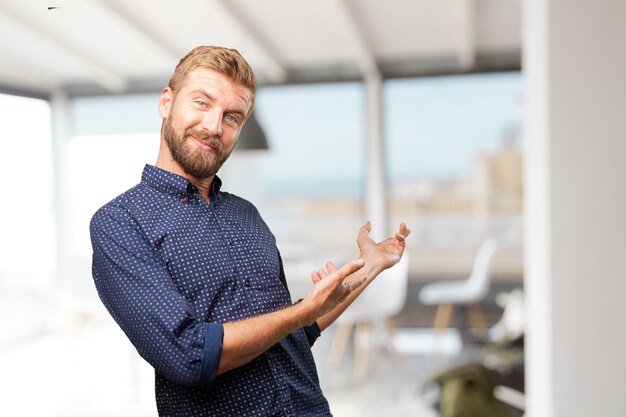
pixel 136 288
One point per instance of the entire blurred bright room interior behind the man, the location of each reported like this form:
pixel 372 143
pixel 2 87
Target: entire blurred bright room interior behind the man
pixel 493 128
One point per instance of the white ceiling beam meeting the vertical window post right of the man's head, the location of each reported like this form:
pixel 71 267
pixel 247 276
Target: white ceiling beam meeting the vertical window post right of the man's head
pixel 365 57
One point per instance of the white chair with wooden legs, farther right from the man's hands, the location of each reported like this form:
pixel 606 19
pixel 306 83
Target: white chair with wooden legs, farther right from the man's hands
pixel 467 292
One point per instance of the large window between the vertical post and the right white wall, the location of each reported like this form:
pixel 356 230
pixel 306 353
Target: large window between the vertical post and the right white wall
pixel 455 167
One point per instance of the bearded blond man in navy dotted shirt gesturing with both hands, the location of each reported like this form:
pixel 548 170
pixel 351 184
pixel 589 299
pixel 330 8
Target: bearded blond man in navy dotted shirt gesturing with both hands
pixel 192 274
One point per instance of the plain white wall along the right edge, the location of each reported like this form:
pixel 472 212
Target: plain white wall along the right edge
pixel 575 69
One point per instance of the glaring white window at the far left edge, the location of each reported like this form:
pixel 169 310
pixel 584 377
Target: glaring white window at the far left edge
pixel 27 247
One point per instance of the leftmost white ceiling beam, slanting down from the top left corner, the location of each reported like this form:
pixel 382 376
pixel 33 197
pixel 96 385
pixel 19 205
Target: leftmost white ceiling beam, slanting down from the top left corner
pixel 96 71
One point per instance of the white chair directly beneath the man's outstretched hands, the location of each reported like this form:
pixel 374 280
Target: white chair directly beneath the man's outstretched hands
pixel 371 317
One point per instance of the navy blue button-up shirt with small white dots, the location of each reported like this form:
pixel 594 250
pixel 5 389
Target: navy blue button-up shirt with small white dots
pixel 171 269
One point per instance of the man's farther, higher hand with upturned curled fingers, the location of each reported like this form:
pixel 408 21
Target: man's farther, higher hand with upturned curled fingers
pixel 386 253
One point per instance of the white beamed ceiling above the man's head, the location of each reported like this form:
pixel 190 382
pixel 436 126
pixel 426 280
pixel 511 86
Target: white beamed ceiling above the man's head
pixel 113 46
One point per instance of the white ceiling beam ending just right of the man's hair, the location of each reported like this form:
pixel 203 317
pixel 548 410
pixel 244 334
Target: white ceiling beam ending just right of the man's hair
pixel 276 70
